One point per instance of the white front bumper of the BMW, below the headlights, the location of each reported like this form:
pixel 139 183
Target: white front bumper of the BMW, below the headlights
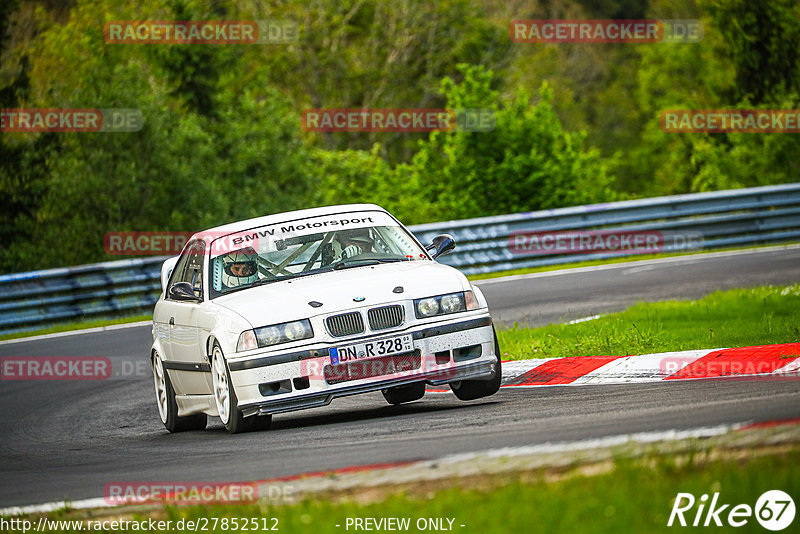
pixel 278 383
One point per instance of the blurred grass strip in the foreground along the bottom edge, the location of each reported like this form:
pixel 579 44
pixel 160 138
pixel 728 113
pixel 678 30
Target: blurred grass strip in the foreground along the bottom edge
pixel 628 495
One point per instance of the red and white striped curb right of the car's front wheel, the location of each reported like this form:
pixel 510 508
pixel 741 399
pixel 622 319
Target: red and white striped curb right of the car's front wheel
pixel 760 361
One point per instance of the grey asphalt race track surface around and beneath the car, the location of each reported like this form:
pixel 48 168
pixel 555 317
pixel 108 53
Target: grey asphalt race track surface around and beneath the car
pixel 67 440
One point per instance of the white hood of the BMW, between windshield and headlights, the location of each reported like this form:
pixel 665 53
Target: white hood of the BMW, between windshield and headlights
pixel 289 300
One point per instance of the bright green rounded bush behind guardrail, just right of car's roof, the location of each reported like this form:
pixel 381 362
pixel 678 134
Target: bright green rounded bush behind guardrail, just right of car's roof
pixel 528 162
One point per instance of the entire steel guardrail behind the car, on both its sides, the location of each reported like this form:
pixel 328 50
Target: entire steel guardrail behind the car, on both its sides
pixel 712 220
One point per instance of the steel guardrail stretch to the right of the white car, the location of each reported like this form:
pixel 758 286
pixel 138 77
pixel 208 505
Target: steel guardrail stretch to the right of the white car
pixel 724 218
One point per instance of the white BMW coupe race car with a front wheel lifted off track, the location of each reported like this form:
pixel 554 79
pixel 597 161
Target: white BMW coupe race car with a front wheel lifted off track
pixel 286 312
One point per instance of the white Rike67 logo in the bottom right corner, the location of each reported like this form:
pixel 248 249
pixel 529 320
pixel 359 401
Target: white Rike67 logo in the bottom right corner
pixel 774 510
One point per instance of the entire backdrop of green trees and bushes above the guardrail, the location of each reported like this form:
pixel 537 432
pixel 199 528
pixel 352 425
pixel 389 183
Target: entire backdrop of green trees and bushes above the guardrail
pixel 221 140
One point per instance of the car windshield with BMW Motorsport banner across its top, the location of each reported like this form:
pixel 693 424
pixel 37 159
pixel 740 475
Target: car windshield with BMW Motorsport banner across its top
pixel 307 246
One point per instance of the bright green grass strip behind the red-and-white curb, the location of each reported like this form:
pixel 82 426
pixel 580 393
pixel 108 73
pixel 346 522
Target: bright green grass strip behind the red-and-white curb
pixel 733 318
